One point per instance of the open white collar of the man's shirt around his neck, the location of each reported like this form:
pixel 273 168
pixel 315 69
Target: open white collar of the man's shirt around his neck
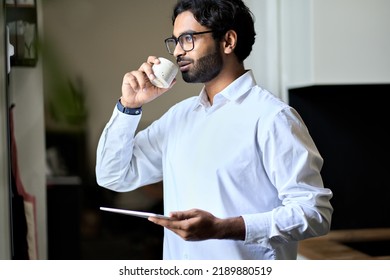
pixel 232 92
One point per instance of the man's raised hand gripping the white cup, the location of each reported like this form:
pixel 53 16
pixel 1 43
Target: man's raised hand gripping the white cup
pixel 137 89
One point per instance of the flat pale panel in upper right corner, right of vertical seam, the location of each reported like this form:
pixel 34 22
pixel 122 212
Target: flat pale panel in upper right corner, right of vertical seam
pixel 351 41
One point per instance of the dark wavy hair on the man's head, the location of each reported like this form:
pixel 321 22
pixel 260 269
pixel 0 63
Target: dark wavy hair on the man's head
pixel 222 16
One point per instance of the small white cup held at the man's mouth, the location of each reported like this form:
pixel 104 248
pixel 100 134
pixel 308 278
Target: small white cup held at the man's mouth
pixel 164 72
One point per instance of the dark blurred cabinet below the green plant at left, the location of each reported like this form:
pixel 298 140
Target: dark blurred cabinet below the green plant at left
pixel 65 186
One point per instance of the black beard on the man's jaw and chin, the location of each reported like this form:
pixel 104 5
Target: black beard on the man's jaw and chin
pixel 205 69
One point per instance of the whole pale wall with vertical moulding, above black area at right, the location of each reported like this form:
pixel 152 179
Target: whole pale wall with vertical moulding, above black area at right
pixel 334 42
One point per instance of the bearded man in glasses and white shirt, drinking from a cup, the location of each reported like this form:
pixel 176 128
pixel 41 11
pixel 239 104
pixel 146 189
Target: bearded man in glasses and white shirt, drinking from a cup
pixel 241 174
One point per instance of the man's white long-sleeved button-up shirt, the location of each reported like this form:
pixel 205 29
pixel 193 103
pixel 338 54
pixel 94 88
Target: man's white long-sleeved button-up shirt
pixel 249 155
